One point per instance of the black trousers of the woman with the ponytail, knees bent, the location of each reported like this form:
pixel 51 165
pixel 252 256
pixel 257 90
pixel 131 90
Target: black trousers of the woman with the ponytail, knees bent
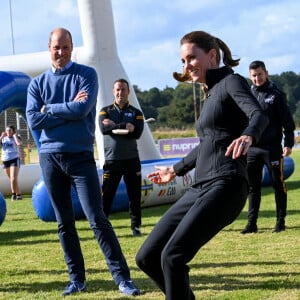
pixel 188 225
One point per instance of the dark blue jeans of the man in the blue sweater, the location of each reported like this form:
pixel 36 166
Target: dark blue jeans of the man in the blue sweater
pixel 60 171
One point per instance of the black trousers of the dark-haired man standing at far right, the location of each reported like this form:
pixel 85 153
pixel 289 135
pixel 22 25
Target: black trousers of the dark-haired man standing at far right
pixel 256 159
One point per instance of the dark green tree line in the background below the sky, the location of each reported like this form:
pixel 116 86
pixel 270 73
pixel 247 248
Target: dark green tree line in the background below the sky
pixel 179 107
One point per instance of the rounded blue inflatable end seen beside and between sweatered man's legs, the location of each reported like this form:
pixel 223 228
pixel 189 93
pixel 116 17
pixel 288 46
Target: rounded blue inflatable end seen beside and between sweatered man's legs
pixel 43 207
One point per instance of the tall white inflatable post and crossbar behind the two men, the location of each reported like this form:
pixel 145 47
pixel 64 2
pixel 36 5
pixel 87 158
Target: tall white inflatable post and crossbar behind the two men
pixel 99 50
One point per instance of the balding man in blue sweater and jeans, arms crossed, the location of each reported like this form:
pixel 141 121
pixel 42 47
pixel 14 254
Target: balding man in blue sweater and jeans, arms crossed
pixel 61 103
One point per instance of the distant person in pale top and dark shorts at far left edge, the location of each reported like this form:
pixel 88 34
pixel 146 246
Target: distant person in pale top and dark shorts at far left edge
pixel 10 142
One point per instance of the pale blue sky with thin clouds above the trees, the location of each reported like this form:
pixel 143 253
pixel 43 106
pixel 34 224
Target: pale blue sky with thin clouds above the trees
pixel 148 32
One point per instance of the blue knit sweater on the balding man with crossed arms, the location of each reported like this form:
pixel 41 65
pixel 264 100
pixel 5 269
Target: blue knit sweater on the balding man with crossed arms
pixel 67 126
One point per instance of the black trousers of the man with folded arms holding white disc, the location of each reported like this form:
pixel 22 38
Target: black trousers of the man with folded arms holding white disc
pixel 130 169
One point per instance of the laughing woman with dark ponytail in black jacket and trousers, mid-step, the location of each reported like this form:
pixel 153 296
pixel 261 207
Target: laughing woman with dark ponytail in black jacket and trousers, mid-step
pixel 230 122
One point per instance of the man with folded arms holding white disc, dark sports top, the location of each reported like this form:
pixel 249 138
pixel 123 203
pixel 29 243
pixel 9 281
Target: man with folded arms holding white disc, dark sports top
pixel 122 124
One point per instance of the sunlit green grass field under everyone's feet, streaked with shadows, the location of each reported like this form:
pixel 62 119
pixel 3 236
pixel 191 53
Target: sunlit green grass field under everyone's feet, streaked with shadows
pixel 231 266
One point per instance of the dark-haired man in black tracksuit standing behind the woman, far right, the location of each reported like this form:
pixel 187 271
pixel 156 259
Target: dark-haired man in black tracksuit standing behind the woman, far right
pixel 269 150
